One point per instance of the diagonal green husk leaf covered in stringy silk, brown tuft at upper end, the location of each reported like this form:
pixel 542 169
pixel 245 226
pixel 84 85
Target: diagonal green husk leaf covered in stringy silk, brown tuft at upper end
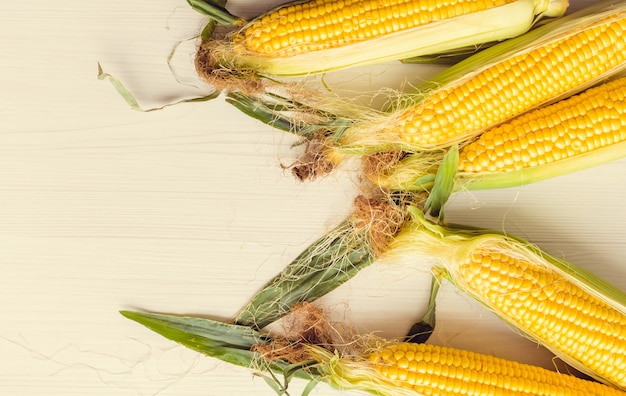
pixel 331 260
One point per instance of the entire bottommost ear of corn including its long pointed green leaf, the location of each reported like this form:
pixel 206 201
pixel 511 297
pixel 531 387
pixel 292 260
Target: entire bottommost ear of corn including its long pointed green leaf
pixel 381 368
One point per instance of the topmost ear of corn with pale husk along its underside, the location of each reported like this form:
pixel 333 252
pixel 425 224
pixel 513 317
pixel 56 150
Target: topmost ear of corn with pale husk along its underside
pixel 305 37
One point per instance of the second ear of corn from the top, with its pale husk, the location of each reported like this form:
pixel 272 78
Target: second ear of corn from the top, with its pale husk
pixel 544 65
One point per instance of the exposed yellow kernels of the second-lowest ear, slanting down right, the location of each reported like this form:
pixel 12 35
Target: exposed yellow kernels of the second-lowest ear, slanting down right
pixel 552 309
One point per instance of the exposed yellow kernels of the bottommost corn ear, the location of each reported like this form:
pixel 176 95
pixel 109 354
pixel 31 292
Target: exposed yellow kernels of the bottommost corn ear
pixel 435 370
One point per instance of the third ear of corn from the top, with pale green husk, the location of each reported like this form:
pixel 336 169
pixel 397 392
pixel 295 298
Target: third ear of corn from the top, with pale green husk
pixel 576 133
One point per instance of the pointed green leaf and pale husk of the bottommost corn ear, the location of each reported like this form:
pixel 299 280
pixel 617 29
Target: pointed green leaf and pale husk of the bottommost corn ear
pixel 233 344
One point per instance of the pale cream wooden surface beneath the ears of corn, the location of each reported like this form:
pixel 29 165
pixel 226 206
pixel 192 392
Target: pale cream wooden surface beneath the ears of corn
pixel 186 210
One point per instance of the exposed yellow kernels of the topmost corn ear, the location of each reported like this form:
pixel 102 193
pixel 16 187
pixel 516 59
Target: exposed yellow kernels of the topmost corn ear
pixel 348 23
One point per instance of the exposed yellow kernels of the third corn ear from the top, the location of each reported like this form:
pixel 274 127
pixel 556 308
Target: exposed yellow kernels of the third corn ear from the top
pixel 580 124
